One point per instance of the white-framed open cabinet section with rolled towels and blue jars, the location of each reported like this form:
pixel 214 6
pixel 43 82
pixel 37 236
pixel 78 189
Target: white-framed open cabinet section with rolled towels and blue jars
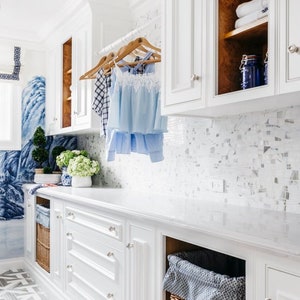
pixel 228 44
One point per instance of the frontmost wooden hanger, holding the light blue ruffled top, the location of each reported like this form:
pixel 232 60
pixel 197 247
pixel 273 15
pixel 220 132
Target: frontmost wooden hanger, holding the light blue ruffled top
pixel 139 43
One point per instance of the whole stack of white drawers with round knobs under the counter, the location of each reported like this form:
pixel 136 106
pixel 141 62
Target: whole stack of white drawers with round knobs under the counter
pixel 94 255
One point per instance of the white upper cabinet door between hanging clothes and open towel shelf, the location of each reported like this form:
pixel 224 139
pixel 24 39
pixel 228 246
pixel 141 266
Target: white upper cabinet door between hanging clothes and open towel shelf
pixel 182 56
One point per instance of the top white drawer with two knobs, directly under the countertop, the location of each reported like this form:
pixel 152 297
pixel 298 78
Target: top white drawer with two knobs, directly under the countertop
pixel 98 223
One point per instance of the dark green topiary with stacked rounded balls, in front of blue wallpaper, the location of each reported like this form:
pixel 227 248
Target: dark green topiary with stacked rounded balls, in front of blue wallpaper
pixel 39 153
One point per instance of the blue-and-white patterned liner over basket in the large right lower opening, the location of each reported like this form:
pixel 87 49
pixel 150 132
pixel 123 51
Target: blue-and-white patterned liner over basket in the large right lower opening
pixel 192 282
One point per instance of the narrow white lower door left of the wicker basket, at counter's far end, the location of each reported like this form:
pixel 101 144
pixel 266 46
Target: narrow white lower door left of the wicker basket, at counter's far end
pixel 29 215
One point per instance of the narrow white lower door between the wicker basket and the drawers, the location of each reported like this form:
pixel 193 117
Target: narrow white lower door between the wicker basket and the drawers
pixel 57 242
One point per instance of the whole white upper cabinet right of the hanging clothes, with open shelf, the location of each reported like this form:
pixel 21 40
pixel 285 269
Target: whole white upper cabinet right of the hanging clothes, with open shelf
pixel 203 50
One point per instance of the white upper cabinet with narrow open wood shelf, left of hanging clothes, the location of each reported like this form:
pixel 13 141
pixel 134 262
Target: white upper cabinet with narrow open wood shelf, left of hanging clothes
pixel 68 100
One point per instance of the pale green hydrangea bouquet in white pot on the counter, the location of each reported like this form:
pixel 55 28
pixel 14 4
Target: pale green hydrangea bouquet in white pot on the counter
pixel 81 168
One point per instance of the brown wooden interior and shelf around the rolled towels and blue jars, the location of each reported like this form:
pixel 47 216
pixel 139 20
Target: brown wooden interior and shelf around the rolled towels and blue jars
pixel 232 44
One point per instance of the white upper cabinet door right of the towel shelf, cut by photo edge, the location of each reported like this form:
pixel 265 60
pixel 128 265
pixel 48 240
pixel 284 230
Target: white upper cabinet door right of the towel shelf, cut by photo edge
pixel 289 58
